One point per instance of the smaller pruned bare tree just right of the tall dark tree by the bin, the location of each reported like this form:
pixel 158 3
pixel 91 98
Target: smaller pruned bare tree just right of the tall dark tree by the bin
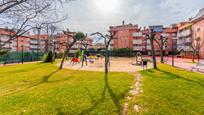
pixel 161 42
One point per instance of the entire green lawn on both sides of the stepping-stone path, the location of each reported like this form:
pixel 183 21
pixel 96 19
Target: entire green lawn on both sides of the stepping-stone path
pixel 41 88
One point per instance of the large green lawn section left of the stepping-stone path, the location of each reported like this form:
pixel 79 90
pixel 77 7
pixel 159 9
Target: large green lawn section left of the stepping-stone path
pixel 38 88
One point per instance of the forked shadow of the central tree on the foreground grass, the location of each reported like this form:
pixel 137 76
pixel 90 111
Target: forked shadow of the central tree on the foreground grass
pixel 107 89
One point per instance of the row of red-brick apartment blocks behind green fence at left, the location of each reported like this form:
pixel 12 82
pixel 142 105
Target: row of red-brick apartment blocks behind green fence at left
pixel 38 43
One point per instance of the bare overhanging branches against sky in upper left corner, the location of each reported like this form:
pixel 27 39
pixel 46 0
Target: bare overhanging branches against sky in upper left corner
pixel 23 15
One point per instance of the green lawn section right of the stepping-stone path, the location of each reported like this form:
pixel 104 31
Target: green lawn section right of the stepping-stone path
pixel 172 91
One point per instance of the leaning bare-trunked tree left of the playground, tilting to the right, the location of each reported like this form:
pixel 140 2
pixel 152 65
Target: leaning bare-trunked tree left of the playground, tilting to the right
pixel 77 37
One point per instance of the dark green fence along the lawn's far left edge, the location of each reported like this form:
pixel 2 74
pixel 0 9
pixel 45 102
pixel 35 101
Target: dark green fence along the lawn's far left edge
pixel 19 57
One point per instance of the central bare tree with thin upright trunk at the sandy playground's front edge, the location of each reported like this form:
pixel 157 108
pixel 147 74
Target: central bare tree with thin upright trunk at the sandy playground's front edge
pixel 107 40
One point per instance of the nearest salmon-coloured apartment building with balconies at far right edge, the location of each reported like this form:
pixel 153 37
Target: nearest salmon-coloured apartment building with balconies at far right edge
pixel 188 34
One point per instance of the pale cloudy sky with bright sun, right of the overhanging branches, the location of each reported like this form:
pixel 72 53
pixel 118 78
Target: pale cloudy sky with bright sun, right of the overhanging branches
pixel 97 15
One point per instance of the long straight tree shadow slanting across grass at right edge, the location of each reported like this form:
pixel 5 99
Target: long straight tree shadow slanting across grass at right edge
pixel 181 77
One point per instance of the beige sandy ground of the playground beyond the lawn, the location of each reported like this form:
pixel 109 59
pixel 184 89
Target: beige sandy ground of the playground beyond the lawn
pixel 116 65
